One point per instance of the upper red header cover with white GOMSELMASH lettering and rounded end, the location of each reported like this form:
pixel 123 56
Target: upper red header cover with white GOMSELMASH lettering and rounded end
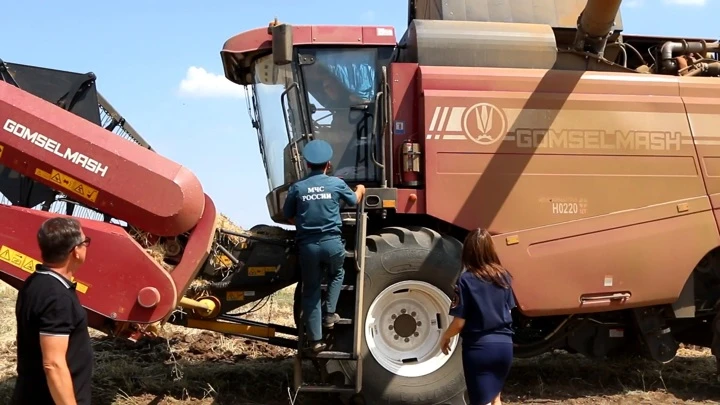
pixel 95 167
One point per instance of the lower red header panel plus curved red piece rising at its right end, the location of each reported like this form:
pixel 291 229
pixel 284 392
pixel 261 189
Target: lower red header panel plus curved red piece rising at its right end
pixel 116 268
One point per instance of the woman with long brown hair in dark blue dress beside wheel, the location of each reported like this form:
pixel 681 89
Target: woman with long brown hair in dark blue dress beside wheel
pixel 481 310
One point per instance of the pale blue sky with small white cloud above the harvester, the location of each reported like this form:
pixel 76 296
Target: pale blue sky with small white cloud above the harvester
pixel 158 63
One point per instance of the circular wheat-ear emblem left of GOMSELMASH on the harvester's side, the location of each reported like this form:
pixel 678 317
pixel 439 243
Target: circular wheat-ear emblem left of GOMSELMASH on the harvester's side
pixel 484 123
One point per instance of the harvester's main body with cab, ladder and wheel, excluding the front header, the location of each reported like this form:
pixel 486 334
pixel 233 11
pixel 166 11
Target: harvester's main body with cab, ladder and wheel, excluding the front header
pixel 583 150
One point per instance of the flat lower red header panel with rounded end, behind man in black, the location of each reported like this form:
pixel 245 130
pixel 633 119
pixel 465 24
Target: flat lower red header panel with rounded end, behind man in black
pixel 116 268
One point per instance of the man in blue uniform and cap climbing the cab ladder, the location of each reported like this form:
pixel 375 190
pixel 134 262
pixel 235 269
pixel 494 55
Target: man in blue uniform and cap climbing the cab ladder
pixel 313 205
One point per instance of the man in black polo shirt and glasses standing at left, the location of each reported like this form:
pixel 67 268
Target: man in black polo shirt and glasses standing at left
pixel 54 355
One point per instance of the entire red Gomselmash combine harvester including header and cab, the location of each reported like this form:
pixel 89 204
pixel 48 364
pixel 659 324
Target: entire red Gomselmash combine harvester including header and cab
pixel 588 153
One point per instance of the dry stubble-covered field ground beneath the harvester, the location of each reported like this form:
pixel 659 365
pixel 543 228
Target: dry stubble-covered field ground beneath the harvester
pixel 203 368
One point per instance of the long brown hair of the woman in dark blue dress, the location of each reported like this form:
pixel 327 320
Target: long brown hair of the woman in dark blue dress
pixel 479 257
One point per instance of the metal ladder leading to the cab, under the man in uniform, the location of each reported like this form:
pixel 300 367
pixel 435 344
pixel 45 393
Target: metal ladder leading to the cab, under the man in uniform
pixel 359 258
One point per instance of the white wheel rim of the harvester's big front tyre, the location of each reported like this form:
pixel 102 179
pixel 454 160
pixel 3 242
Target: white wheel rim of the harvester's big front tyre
pixel 396 344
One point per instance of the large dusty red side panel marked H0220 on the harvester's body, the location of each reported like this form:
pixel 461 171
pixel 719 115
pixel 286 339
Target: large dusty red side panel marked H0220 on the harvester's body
pixel 640 189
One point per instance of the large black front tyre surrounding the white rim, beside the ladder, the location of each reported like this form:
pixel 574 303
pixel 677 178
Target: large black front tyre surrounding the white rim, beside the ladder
pixel 399 254
